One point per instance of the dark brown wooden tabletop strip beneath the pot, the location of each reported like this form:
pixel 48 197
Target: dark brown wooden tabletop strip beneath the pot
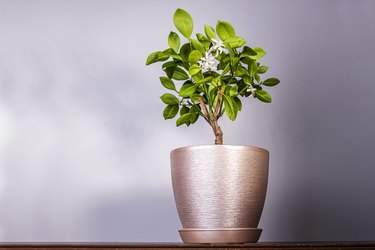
pixel 260 246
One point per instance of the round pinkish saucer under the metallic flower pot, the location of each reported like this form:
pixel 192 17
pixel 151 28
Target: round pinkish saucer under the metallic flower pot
pixel 220 235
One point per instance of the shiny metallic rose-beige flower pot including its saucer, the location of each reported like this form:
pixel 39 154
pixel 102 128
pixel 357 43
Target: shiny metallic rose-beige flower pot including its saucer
pixel 219 192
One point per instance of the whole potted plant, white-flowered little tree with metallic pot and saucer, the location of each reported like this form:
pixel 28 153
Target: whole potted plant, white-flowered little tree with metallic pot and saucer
pixel 219 189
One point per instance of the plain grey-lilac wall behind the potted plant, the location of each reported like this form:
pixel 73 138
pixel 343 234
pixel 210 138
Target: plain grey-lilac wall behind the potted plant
pixel 84 150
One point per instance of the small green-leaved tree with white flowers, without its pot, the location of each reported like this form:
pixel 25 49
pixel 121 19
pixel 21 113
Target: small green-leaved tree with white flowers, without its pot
pixel 213 70
